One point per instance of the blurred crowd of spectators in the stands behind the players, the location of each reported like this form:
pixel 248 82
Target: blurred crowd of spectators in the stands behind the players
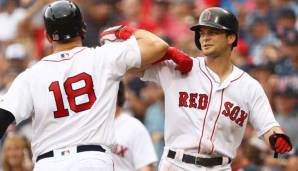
pixel 267 49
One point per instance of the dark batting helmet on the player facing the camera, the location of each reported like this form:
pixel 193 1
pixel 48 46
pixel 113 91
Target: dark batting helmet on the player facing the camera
pixel 218 18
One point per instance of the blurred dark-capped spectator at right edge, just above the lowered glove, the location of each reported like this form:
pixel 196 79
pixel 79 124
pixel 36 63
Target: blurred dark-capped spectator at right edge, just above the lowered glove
pixel 285 101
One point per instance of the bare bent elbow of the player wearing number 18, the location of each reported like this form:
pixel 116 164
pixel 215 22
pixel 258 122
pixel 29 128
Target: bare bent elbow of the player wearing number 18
pixel 151 46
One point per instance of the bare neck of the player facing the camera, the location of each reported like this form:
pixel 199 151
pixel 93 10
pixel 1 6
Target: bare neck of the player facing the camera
pixel 221 65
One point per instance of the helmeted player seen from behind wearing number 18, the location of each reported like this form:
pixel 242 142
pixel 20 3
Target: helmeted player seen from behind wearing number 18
pixel 71 94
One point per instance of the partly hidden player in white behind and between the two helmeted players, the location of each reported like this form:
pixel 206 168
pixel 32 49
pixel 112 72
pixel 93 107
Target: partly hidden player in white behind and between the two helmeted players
pixel 134 149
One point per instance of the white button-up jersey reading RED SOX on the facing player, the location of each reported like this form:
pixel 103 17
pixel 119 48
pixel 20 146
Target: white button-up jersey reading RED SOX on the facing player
pixel 205 115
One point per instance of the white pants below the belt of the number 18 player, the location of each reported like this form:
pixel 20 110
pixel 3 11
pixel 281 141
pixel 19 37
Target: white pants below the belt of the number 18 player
pixel 89 161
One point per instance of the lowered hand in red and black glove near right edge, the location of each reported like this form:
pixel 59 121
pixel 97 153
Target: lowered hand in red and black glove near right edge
pixel 280 143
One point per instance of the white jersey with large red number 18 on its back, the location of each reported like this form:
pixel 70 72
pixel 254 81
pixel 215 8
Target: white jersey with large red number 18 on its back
pixel 71 95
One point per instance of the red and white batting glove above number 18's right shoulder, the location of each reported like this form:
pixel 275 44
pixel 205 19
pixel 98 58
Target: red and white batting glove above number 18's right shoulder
pixel 116 34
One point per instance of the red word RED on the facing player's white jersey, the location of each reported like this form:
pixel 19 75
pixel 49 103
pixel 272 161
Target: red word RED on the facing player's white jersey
pixel 193 100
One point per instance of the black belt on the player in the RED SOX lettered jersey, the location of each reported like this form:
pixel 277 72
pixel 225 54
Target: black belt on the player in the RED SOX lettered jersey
pixel 206 162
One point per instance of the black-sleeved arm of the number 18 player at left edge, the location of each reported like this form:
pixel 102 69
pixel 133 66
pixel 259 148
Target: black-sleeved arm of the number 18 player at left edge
pixel 6 118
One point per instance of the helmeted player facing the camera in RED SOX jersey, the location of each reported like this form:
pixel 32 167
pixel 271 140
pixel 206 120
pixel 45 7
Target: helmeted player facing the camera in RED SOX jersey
pixel 207 110
